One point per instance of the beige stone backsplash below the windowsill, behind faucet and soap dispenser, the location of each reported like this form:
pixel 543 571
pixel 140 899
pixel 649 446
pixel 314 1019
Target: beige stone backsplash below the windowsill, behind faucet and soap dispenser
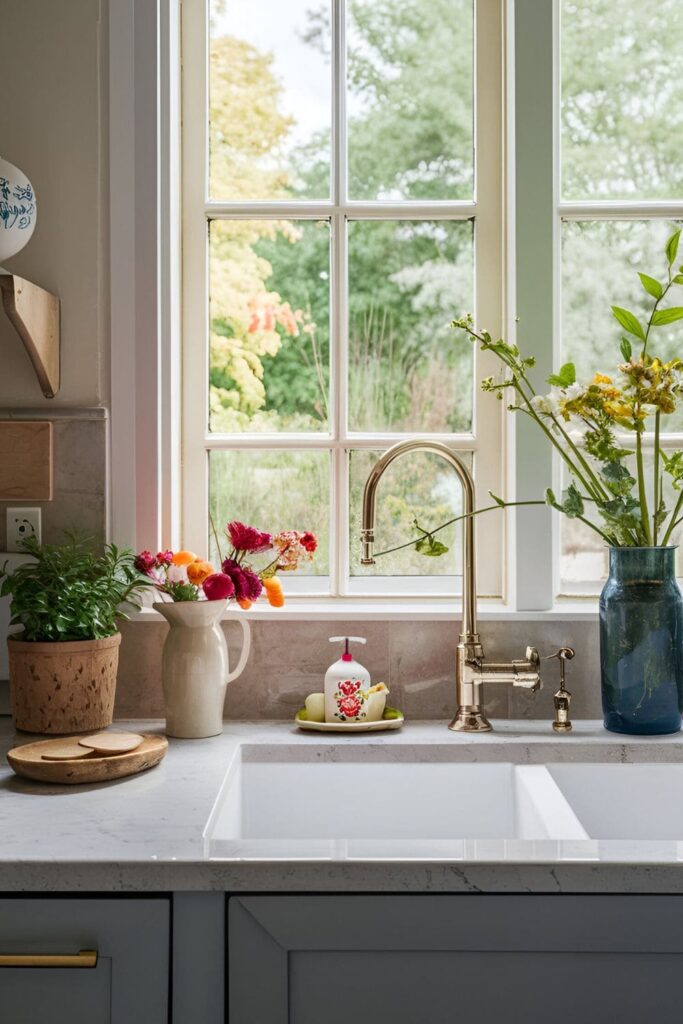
pixel 289 660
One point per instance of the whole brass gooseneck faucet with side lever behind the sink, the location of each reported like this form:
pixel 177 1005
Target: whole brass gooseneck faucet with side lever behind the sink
pixel 473 671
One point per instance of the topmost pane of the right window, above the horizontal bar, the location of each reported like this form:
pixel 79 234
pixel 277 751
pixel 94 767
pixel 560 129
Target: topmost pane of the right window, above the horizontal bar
pixel 622 113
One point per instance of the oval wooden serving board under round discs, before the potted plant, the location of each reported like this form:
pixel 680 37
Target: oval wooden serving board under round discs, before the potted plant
pixel 28 761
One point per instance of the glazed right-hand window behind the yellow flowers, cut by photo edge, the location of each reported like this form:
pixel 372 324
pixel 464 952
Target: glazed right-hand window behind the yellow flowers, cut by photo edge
pixel 621 195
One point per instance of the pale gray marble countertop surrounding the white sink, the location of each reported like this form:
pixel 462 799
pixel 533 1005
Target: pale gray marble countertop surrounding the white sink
pixel 145 833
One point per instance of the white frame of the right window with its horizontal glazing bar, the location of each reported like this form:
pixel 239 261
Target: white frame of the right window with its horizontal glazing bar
pixel 536 216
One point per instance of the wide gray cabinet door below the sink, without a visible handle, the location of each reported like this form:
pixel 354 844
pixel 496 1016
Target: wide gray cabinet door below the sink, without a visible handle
pixel 454 960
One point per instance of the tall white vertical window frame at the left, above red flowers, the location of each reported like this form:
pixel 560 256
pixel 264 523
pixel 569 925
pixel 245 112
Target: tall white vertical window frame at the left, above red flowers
pixel 144 456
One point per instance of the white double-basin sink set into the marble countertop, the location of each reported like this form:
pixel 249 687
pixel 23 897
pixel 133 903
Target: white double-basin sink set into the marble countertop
pixel 355 803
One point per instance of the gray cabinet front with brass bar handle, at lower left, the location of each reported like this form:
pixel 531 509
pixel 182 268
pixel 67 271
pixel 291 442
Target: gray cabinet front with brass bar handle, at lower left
pixel 131 983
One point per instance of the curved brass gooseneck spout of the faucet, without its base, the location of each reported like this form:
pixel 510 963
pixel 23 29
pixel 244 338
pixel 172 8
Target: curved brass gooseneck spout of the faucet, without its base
pixel 469 627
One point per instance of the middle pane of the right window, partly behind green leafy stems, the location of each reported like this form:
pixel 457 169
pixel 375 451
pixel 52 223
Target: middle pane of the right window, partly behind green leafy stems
pixel 601 261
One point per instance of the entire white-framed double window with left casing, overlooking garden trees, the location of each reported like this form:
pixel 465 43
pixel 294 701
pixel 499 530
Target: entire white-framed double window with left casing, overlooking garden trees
pixel 322 262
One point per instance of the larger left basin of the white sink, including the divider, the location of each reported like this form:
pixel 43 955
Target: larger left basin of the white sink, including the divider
pixel 277 803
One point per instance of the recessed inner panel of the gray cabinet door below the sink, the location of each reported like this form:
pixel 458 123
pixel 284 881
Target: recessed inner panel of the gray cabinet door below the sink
pixel 483 988
